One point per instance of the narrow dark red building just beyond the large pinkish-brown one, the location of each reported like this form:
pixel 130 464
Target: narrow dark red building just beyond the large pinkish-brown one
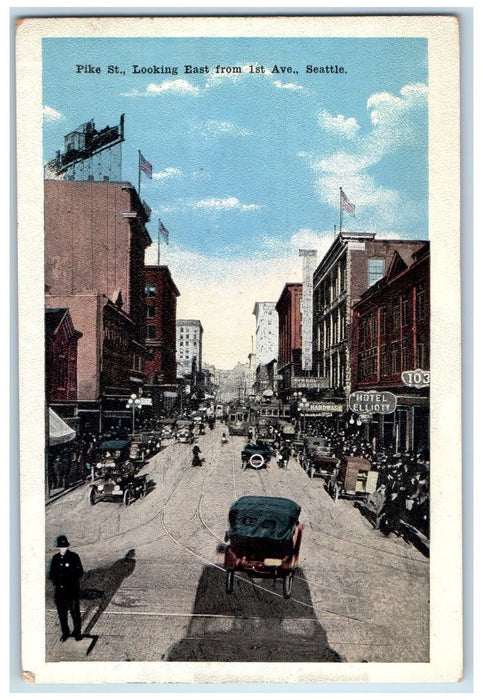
pixel 161 296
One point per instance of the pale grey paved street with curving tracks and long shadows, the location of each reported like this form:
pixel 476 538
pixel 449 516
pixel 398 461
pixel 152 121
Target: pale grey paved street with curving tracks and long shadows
pixel 154 587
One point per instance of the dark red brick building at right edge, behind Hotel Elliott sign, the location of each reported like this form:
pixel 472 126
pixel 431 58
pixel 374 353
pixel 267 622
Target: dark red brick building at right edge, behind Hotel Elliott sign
pixel 391 335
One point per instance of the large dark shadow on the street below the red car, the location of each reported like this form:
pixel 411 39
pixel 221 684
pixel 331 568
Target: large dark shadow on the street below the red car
pixel 254 623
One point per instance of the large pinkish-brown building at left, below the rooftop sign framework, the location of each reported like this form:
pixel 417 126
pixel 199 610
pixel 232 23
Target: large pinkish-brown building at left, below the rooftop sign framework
pixel 95 240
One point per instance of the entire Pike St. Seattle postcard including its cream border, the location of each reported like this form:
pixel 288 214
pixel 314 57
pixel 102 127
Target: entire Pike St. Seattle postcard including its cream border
pixel 239 349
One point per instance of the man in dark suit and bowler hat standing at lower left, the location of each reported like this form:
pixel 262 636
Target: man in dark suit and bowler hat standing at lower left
pixel 65 573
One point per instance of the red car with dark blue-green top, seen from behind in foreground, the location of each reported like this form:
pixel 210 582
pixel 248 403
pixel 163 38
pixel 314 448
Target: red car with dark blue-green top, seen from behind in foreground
pixel 264 539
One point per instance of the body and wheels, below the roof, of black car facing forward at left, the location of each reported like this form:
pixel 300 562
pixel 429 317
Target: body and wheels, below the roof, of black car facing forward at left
pixel 118 483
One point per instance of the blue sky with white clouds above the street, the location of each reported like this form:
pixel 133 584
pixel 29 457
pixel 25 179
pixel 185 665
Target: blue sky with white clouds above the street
pixel 247 167
